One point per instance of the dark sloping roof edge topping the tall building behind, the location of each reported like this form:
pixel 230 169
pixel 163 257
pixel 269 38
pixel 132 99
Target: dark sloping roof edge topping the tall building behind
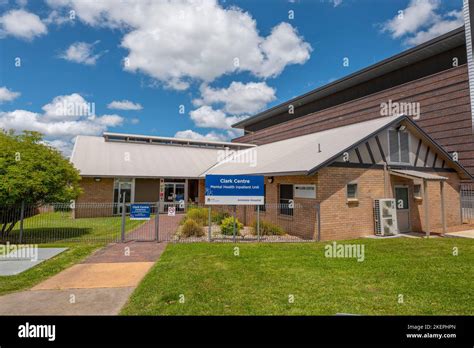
pixel 437 45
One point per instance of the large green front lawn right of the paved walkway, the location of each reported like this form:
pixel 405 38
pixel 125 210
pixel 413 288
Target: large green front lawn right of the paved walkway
pixel 258 282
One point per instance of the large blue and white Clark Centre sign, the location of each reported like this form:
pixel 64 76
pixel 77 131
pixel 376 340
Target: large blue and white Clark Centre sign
pixel 235 189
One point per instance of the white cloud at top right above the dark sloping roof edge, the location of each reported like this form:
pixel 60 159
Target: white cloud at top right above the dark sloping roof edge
pixel 420 22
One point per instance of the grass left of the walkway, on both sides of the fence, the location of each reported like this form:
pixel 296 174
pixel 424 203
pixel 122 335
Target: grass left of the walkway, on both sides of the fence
pixel 89 235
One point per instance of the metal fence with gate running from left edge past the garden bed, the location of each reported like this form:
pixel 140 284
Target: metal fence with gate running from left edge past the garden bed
pixel 173 222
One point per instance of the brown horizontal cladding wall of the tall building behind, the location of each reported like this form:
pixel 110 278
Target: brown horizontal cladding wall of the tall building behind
pixel 445 113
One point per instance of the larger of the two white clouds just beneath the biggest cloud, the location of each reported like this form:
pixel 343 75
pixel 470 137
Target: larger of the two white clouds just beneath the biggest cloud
pixel 238 98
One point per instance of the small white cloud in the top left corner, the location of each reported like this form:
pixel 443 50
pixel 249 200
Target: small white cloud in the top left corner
pixel 21 24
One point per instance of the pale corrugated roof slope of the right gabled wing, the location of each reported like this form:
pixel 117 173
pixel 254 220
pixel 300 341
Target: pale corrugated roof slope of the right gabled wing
pixel 301 154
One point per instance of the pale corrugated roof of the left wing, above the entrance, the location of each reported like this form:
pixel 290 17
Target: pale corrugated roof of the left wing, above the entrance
pixel 93 156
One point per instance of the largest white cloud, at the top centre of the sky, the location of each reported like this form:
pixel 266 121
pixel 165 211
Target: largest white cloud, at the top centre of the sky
pixel 181 41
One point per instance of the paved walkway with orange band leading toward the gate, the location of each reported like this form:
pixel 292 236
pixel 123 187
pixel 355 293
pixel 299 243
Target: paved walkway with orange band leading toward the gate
pixel 100 285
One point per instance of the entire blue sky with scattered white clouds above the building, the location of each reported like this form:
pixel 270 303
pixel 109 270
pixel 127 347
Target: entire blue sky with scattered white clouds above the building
pixel 188 68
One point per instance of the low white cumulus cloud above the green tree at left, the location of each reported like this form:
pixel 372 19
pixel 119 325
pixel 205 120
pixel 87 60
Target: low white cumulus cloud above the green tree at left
pixel 62 120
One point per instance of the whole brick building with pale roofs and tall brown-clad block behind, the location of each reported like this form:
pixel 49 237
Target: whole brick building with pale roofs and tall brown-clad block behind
pixel 345 142
